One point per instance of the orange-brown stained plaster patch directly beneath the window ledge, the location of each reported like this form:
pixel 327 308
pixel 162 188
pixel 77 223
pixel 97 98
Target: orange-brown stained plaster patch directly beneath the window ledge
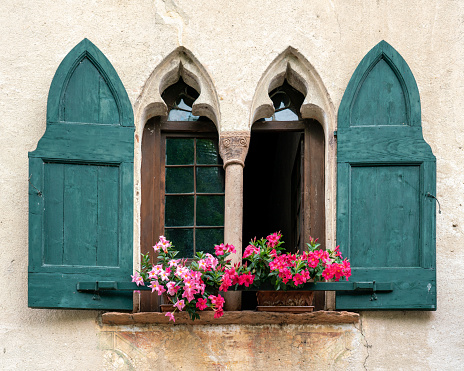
pixel 289 347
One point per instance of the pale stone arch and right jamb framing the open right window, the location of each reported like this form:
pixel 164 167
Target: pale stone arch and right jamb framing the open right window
pixel 301 74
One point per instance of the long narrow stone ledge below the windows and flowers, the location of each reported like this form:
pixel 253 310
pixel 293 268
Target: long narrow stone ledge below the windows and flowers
pixel 232 318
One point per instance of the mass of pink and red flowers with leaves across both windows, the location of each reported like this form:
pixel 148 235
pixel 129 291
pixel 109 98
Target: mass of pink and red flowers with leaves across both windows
pixel 194 287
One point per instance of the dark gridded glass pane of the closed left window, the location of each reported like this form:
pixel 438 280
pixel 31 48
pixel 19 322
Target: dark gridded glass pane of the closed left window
pixel 208 184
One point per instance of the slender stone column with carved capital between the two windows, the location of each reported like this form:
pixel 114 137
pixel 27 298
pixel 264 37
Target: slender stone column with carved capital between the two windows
pixel 233 147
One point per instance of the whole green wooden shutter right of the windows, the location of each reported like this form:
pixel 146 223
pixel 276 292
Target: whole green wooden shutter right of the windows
pixel 385 186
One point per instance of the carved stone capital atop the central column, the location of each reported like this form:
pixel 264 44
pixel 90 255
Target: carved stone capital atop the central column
pixel 233 147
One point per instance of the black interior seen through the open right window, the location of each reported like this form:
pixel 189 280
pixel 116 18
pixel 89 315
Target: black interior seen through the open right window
pixel 271 194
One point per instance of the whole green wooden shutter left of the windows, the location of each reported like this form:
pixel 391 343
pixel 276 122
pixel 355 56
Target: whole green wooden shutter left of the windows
pixel 81 187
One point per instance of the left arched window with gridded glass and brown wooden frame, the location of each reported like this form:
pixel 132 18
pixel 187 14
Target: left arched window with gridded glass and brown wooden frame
pixel 182 177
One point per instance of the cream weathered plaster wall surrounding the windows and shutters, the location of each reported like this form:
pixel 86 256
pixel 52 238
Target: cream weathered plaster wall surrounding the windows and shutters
pixel 235 41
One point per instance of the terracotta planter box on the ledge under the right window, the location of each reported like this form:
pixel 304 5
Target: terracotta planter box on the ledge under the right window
pixel 285 301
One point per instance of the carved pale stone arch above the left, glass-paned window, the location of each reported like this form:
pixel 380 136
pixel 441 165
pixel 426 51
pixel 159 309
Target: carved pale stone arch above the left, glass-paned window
pixel 180 63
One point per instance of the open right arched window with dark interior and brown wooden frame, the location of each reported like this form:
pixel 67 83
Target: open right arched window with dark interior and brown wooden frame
pixel 284 174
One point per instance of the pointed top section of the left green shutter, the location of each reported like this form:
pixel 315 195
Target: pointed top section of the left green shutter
pixel 86 88
